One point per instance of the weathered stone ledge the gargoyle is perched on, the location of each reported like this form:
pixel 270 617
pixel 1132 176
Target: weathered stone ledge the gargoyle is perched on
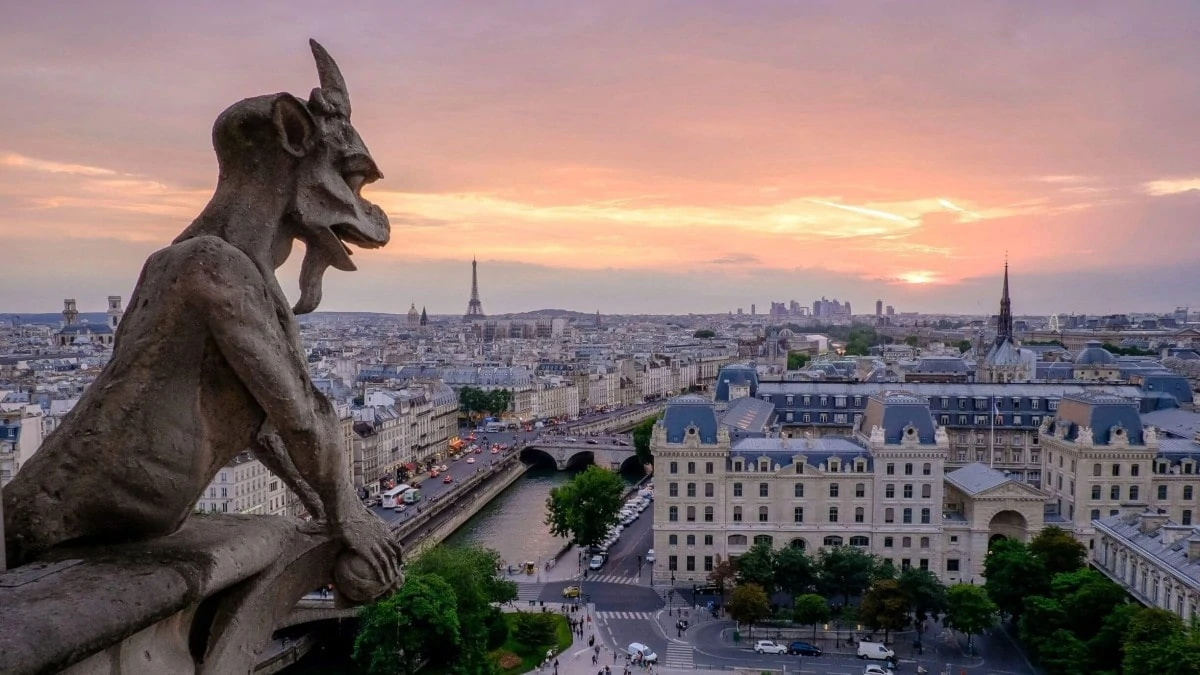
pixel 247 570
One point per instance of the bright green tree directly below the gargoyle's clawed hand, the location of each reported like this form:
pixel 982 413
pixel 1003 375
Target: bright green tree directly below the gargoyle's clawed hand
pixel 418 623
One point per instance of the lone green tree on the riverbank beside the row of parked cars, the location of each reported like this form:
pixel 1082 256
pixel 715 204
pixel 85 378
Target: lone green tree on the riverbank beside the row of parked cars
pixel 585 509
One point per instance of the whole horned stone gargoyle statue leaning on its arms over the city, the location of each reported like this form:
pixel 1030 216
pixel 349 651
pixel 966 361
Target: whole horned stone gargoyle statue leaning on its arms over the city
pixel 208 361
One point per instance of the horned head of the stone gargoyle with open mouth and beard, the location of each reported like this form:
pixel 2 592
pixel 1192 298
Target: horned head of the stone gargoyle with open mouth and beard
pixel 310 150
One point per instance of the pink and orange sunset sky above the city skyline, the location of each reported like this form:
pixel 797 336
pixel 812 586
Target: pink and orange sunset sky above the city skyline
pixel 651 157
